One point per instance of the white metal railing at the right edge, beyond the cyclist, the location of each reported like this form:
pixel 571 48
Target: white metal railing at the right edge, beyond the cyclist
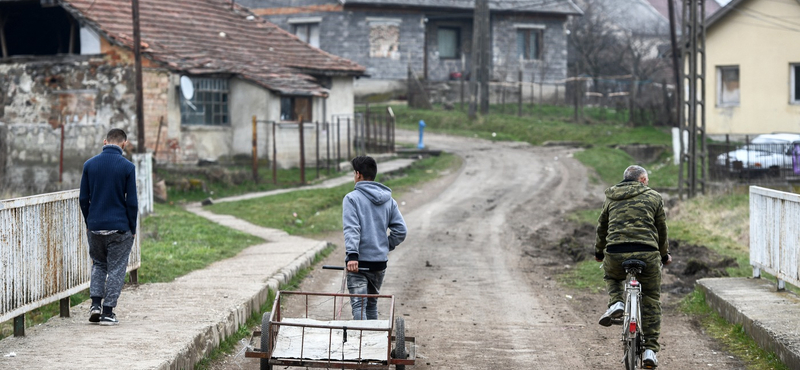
pixel 775 234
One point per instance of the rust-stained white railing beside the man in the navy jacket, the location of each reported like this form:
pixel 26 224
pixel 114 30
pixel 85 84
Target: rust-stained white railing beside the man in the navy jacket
pixel 44 251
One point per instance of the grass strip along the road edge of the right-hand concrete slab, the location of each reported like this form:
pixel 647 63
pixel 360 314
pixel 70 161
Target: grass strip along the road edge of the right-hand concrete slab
pixel 733 337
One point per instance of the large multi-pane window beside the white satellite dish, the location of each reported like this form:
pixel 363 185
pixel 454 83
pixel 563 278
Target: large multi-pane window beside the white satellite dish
pixel 209 105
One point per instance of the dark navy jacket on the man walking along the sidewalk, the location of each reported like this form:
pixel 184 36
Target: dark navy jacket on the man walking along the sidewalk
pixel 108 191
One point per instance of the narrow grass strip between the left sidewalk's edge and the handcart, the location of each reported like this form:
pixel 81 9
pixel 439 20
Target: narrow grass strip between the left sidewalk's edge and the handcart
pixel 229 345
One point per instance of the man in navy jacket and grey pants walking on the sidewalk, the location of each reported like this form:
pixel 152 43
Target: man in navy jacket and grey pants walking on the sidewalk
pixel 110 207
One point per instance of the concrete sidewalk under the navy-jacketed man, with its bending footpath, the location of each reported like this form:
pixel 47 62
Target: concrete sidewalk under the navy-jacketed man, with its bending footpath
pixel 174 325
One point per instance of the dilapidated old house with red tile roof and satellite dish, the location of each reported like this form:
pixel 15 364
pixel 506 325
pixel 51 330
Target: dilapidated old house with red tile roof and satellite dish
pixel 69 64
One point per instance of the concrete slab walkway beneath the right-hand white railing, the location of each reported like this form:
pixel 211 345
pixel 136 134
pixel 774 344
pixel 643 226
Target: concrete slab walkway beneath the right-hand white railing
pixel 772 318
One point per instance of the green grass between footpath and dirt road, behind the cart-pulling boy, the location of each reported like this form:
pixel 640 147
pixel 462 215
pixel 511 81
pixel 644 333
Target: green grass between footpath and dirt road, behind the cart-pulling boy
pixel 308 212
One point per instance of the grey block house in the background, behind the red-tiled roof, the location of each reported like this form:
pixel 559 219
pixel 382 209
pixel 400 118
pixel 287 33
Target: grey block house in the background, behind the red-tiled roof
pixel 434 37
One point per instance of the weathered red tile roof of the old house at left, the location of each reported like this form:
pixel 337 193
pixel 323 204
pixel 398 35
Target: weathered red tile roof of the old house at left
pixel 214 36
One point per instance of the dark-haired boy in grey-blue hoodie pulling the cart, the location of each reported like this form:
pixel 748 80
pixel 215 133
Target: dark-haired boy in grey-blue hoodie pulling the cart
pixel 367 212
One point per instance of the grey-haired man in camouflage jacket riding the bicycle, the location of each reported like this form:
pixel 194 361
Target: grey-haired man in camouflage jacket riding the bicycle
pixel 633 225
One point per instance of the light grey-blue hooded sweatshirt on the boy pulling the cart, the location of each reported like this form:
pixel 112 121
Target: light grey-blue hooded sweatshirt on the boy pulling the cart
pixel 367 212
